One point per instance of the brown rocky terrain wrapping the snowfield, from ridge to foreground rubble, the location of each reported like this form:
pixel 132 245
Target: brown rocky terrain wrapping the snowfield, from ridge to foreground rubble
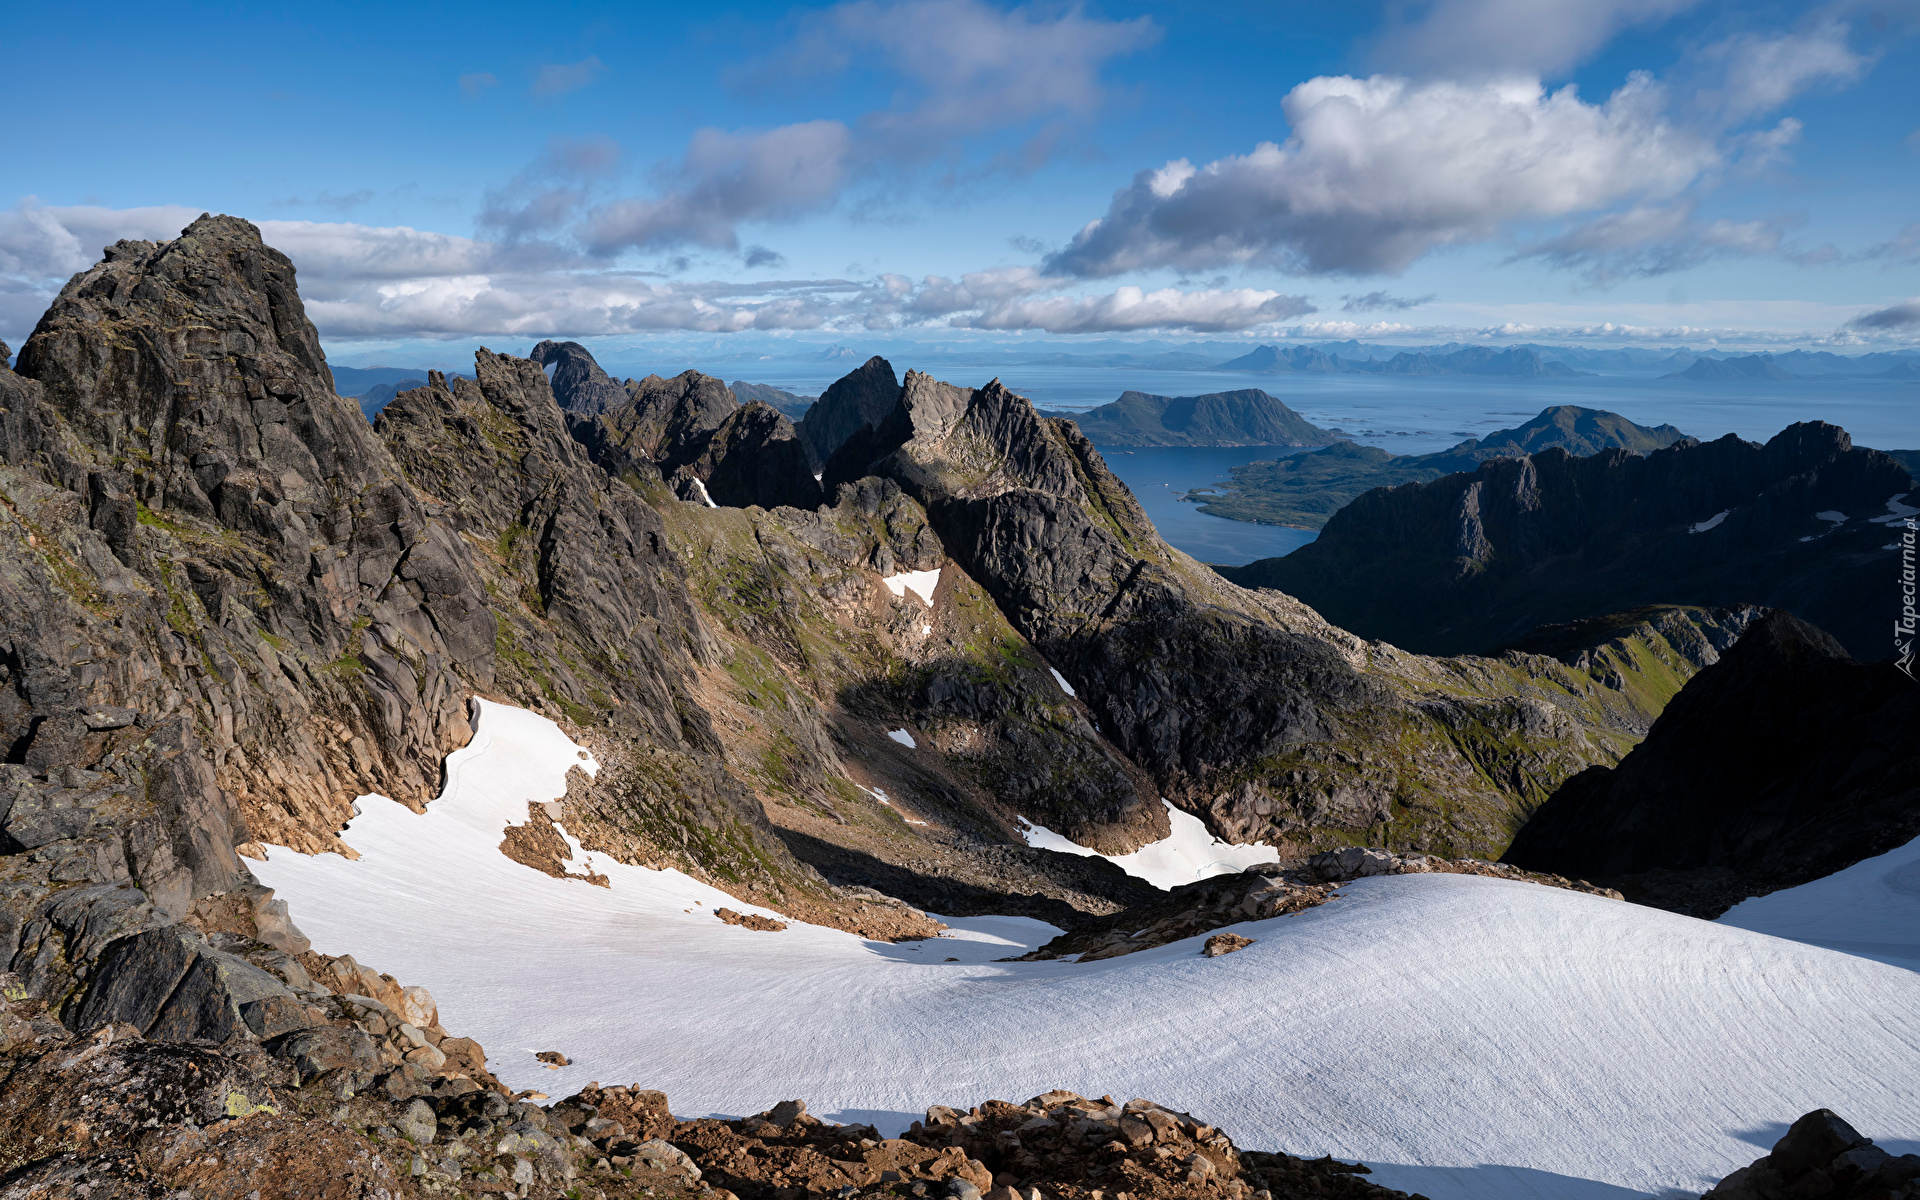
pixel 231 608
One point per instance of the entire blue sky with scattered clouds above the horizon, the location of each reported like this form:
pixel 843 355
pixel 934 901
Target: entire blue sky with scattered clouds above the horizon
pixel 771 176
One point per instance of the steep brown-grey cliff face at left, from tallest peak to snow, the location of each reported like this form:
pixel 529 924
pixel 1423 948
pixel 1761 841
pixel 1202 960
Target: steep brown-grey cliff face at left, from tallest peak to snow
pixel 316 623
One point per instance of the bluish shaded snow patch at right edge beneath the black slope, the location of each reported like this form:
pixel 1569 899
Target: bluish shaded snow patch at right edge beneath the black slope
pixel 1871 909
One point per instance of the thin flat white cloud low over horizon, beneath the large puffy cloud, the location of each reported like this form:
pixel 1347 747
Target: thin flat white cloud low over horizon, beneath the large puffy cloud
pixel 1128 310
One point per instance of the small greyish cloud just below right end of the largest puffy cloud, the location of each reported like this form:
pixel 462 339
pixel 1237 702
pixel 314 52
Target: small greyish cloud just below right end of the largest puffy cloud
pixel 1654 241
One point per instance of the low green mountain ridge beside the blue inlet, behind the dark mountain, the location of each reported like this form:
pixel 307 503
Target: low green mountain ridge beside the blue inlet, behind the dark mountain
pixel 1305 491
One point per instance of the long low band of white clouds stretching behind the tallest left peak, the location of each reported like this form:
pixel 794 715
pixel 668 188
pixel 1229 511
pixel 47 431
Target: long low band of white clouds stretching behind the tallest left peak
pixel 364 281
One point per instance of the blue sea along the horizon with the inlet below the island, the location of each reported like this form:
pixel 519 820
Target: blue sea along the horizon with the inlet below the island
pixel 1399 414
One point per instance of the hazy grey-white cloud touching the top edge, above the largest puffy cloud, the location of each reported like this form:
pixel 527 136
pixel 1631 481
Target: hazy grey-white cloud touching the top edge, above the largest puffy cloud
pixel 1497 37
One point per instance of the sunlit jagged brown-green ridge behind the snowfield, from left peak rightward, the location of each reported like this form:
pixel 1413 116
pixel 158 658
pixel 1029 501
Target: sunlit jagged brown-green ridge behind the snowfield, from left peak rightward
pixel 289 610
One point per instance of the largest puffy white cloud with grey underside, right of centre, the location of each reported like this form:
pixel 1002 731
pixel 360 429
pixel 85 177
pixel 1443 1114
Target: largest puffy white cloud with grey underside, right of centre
pixel 1383 170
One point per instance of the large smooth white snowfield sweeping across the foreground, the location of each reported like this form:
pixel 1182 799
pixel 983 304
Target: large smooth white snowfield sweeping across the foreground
pixel 1466 1038
